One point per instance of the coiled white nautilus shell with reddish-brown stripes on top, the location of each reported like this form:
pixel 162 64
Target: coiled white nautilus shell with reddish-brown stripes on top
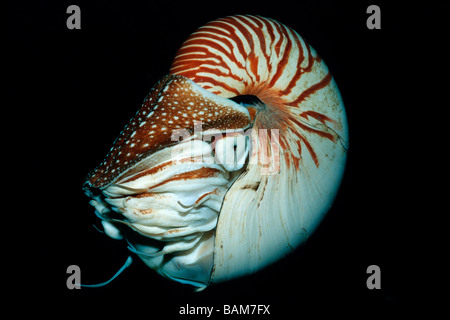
pixel 299 137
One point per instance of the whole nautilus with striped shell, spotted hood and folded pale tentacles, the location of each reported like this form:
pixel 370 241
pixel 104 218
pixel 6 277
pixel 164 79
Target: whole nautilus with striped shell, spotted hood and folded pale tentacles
pixel 233 159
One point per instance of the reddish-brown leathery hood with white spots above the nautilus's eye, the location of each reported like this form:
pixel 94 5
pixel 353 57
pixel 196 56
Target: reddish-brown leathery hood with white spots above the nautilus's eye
pixel 174 103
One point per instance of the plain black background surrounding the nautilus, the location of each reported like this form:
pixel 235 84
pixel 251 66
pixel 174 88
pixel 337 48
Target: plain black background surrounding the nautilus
pixel 72 91
